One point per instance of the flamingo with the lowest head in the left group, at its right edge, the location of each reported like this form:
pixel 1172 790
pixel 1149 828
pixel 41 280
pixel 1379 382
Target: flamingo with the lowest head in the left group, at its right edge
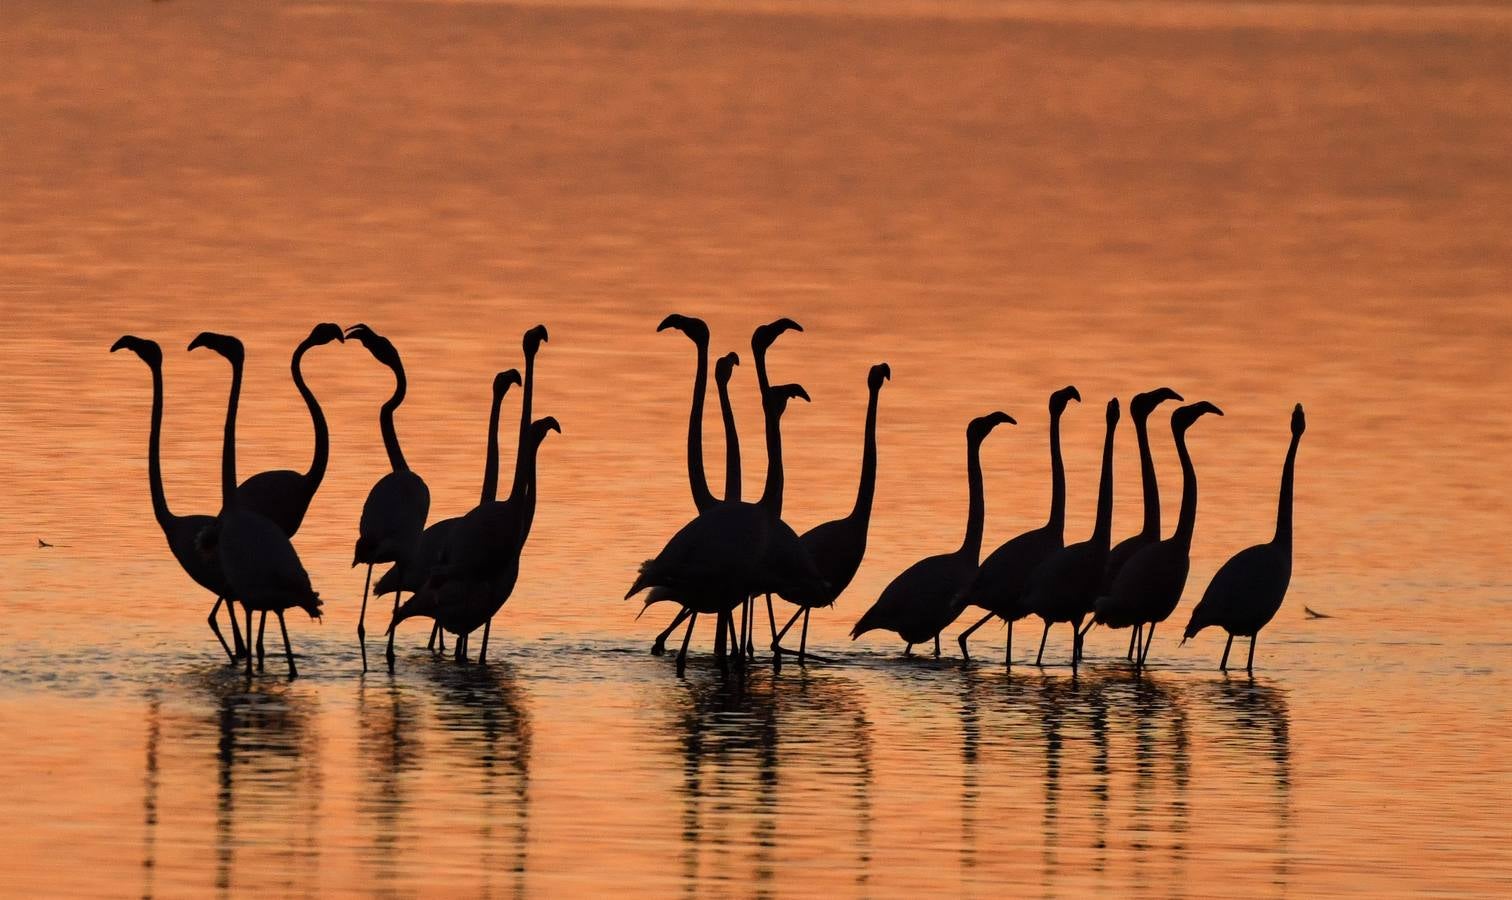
pixel 466 591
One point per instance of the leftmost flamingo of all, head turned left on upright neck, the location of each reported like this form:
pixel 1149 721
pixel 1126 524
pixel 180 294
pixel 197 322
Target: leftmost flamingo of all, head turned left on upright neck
pixel 181 532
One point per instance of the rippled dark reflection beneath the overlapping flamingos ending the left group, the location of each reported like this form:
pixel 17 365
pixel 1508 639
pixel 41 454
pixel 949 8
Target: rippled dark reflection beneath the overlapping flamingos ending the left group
pixel 483 712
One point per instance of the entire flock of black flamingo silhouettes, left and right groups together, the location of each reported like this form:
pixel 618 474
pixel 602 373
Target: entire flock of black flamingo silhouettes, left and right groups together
pixel 462 571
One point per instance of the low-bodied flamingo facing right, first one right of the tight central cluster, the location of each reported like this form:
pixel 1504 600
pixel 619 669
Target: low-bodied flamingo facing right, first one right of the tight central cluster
pixel 920 603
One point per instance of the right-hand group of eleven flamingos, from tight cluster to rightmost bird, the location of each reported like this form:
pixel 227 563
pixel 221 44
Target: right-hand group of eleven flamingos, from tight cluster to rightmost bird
pixel 736 551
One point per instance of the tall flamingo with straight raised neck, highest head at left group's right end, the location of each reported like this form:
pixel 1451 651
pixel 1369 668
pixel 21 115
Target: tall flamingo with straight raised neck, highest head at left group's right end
pixel 486 545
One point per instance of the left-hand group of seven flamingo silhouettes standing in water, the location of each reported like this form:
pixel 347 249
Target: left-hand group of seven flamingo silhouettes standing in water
pixel 459 571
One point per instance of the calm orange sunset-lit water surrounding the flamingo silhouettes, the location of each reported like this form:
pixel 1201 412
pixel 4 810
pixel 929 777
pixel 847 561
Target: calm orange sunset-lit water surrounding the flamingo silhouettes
pixel 1257 205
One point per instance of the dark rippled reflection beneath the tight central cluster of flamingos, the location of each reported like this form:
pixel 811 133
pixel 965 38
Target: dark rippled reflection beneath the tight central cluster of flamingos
pixel 743 742
